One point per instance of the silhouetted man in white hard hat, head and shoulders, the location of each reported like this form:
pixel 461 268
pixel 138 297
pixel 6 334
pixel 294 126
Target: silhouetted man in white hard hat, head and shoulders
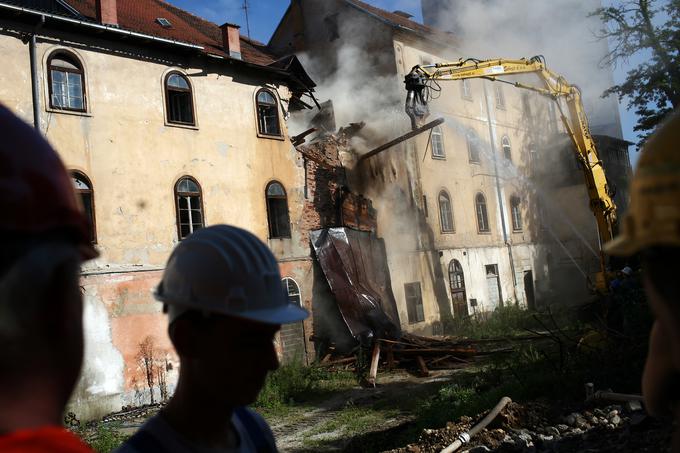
pixel 223 295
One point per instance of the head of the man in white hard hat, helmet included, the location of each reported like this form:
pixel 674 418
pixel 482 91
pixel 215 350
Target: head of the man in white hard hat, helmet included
pixel 223 294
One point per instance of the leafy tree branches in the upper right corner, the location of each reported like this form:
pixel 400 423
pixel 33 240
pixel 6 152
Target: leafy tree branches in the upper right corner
pixel 648 28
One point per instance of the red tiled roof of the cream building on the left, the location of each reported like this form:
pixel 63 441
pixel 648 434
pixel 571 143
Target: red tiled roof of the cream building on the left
pixel 141 15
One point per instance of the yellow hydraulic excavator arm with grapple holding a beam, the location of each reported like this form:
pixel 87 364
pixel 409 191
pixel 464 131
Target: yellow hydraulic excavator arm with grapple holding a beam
pixel 423 79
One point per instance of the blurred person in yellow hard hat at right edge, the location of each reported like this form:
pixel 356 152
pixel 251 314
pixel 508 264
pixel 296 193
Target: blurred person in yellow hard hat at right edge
pixel 652 228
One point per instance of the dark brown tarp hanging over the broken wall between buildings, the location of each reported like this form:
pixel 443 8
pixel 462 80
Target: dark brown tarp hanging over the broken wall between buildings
pixel 355 266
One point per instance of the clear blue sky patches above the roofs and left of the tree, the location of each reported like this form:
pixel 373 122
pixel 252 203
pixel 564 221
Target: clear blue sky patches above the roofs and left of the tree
pixel 264 16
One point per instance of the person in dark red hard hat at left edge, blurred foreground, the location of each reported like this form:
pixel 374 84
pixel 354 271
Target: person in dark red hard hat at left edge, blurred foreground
pixel 43 241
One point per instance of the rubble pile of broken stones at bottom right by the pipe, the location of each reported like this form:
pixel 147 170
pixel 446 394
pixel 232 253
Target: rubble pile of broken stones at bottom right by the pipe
pixel 534 427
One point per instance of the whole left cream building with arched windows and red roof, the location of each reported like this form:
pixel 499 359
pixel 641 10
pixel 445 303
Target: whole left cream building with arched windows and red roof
pixel 167 123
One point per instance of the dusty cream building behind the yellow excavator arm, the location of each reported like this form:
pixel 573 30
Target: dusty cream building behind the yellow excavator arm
pixel 490 207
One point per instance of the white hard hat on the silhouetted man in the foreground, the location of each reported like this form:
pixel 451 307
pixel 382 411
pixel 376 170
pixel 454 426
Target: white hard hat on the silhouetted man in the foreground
pixel 226 270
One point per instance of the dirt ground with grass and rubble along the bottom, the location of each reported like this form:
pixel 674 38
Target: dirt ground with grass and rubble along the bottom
pixel 378 419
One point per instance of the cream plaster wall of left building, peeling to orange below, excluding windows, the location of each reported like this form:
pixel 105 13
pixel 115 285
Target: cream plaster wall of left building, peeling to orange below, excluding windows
pixel 133 159
